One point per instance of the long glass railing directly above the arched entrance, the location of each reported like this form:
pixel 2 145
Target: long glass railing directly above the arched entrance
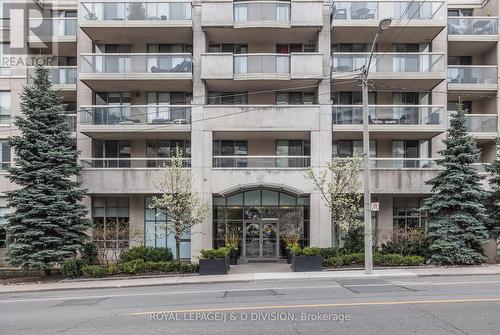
pixel 244 162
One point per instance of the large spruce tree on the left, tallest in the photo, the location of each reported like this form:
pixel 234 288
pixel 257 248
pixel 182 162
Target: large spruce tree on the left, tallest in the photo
pixel 47 225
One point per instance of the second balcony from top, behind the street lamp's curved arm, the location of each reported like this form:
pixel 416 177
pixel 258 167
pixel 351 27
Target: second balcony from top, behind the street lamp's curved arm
pixel 402 69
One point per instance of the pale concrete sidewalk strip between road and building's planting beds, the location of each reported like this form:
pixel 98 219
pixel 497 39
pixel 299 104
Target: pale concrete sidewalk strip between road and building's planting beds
pixel 241 277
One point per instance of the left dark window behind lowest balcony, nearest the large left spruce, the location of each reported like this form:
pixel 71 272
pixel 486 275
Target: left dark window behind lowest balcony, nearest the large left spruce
pixel 115 153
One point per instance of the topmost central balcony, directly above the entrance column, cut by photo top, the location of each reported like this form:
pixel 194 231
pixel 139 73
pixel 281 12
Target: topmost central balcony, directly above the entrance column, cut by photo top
pixel 262 14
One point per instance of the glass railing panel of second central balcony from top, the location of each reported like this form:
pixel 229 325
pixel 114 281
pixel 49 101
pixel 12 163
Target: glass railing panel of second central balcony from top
pixel 262 63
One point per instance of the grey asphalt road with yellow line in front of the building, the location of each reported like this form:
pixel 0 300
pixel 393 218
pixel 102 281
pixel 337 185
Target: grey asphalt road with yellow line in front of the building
pixel 423 305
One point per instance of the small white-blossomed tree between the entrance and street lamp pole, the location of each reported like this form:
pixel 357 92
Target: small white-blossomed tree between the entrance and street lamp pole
pixel 339 185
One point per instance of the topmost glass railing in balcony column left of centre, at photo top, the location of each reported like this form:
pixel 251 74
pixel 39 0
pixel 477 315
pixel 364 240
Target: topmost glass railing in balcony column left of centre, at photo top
pixel 135 11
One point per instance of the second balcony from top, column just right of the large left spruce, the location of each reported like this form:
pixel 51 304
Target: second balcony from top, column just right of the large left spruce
pixel 101 70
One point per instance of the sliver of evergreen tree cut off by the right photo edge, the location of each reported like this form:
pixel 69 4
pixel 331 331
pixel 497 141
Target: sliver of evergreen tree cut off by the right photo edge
pixel 493 203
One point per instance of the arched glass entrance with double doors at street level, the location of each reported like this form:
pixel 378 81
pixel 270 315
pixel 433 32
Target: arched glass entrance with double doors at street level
pixel 262 217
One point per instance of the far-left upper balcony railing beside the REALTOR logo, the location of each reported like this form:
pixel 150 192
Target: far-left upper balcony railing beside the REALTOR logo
pixel 53 29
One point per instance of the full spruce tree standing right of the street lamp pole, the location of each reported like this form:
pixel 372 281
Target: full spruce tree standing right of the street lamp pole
pixel 456 214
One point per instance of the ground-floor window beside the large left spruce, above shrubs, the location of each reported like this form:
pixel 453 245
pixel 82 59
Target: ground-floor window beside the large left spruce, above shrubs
pixel 111 221
